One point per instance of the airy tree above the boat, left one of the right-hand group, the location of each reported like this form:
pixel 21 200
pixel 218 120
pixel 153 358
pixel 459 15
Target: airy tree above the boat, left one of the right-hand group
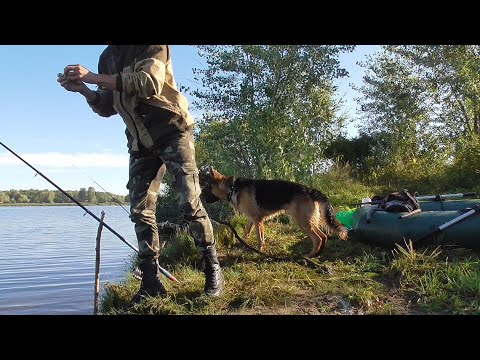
pixel 393 104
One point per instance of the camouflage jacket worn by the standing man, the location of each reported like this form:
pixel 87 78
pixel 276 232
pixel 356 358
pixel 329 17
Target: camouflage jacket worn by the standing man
pixel 145 83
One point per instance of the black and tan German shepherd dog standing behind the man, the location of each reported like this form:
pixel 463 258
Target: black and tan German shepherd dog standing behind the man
pixel 261 200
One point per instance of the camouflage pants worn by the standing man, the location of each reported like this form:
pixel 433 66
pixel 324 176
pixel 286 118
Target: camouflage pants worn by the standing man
pixel 177 155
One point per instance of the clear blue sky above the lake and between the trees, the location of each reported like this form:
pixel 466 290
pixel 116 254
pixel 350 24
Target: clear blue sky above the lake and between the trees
pixel 57 132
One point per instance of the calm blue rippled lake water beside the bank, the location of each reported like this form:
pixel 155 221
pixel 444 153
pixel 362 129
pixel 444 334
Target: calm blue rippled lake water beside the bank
pixel 47 257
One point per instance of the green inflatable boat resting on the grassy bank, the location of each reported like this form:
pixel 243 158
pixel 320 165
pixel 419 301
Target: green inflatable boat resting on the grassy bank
pixel 448 222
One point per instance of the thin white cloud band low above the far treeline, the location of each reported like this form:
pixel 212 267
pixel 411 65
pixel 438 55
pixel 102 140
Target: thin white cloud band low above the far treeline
pixel 62 160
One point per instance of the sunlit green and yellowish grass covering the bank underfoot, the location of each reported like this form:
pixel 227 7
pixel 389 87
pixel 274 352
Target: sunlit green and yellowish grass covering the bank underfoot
pixel 348 278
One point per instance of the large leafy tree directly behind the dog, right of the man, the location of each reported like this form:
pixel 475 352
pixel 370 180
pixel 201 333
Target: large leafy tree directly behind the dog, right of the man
pixel 270 109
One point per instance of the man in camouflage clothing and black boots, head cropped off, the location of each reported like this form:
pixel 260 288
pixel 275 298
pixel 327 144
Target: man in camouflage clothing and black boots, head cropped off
pixel 137 82
